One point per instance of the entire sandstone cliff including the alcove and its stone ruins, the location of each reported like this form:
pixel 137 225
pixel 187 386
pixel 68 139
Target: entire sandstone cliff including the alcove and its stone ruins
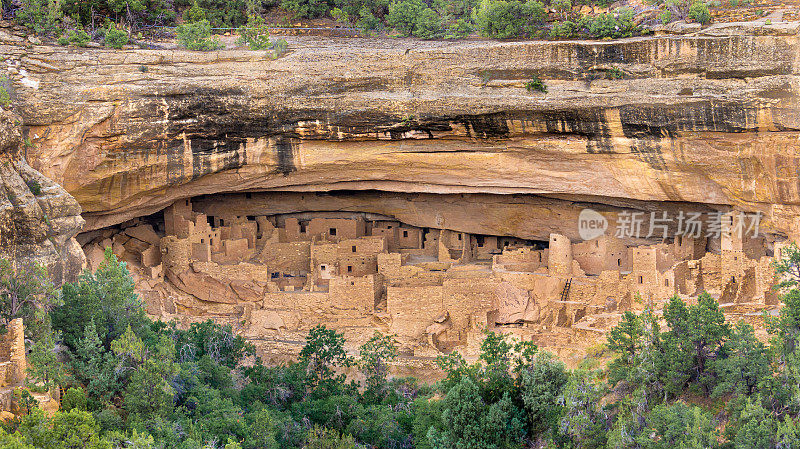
pixel 422 192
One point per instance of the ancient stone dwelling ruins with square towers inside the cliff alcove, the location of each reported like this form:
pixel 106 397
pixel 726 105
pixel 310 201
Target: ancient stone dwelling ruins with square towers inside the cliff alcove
pixel 275 275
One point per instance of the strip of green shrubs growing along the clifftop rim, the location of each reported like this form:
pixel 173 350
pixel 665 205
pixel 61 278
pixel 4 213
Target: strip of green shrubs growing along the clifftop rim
pixel 78 22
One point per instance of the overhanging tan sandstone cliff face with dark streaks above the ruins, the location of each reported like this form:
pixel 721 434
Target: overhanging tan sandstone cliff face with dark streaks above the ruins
pixel 701 120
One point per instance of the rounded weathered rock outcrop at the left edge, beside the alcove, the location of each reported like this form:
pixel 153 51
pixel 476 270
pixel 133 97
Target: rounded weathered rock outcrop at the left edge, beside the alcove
pixel 38 218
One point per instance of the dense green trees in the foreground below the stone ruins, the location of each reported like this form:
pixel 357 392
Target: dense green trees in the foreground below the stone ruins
pixel 684 378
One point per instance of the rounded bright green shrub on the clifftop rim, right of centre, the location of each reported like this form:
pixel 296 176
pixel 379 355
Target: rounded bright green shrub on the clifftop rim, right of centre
pixel 502 19
